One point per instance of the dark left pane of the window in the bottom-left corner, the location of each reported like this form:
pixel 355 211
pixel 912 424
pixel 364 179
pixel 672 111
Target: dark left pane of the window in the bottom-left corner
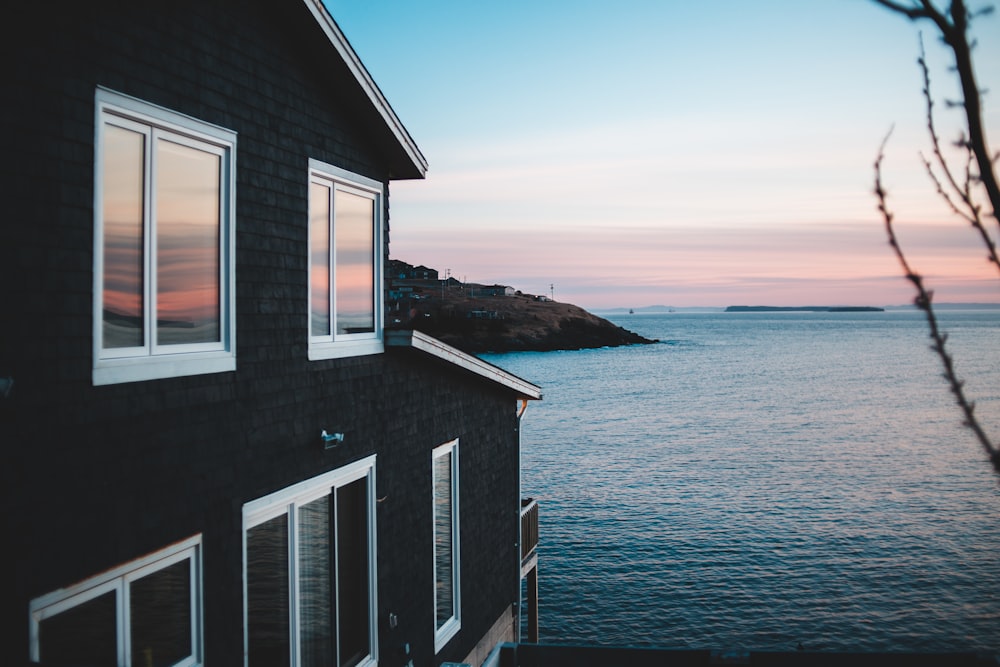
pixel 81 635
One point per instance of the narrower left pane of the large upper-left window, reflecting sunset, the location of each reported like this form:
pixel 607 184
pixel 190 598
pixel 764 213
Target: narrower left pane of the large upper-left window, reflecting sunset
pixel 122 179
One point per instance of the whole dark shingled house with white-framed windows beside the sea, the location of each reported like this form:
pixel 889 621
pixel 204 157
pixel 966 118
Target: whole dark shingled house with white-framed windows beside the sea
pixel 214 453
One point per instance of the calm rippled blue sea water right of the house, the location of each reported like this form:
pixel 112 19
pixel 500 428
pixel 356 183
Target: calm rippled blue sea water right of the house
pixel 759 480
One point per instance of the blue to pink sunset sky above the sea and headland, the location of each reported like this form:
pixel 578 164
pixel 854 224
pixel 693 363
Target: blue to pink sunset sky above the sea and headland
pixel 668 152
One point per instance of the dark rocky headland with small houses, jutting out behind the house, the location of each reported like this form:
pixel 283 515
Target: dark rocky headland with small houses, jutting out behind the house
pixel 477 318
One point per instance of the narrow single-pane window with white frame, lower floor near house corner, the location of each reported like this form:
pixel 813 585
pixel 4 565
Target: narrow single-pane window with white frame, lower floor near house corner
pixel 447 598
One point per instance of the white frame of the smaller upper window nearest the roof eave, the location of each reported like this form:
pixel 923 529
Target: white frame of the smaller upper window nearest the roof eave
pixel 336 345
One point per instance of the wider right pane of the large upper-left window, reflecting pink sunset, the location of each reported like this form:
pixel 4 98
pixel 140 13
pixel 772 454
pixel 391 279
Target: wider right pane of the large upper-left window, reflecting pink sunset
pixel 188 183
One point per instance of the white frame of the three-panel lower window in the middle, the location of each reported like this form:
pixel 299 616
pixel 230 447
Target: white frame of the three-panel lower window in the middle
pixel 286 502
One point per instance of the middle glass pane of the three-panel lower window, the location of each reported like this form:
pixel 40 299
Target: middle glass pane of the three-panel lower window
pixel 315 583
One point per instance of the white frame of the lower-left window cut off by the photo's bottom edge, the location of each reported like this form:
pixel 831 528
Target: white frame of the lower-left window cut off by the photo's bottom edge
pixel 118 580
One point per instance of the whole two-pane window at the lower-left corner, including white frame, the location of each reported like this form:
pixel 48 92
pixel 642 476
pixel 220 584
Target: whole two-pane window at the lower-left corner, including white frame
pixel 147 612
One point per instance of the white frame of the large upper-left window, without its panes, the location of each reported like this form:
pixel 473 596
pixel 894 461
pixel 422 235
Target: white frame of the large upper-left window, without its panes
pixel 150 362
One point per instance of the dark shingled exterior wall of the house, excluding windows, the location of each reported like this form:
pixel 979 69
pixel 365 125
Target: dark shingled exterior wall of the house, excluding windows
pixel 95 476
